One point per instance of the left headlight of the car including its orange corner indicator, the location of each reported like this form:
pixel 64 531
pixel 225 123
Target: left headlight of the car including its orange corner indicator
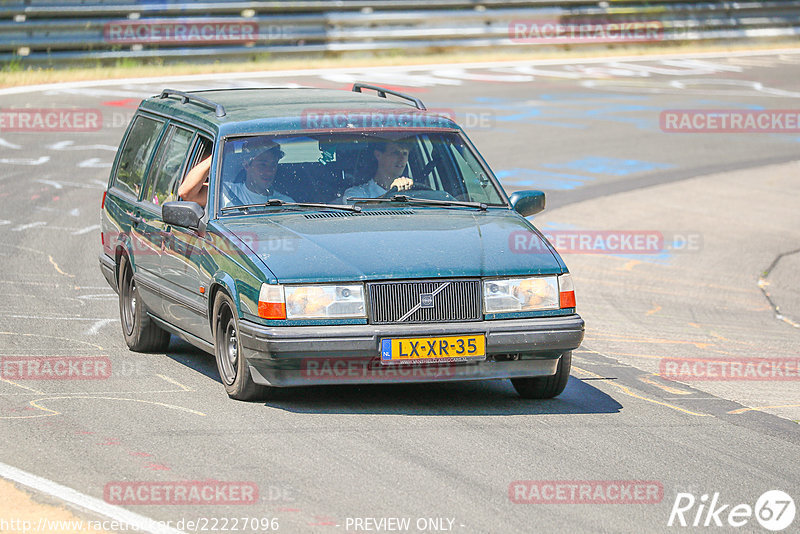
pixel 313 301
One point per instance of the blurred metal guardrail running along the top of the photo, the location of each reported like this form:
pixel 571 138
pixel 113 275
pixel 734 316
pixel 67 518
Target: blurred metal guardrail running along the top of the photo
pixel 36 31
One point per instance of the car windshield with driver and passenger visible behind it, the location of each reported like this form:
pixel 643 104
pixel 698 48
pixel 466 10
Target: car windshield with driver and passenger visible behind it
pixel 342 168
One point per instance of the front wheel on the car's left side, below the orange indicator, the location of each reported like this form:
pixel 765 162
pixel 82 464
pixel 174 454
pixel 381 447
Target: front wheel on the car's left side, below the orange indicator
pixel 232 366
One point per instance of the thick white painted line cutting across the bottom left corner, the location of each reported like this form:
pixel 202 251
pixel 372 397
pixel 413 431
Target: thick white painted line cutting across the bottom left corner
pixel 137 522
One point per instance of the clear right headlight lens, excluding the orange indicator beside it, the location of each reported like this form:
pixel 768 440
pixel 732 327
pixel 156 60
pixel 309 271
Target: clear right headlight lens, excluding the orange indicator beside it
pixel 520 294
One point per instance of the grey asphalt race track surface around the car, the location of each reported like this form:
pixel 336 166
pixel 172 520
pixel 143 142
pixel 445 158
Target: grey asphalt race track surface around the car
pixel 722 285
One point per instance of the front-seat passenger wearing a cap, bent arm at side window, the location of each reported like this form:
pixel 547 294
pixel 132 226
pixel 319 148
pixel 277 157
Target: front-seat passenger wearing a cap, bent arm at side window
pixel 250 186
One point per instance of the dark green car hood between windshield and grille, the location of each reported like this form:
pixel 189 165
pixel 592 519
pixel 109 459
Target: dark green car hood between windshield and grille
pixel 394 244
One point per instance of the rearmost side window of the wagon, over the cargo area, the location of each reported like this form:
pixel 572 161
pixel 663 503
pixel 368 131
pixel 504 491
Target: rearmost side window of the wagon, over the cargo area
pixel 136 154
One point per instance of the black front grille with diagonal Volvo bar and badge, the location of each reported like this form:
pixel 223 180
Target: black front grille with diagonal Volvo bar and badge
pixel 424 301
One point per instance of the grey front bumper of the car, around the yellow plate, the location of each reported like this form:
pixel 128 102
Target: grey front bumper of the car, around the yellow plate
pixel 349 354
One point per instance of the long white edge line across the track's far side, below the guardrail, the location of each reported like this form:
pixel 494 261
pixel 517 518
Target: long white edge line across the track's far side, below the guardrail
pixel 393 68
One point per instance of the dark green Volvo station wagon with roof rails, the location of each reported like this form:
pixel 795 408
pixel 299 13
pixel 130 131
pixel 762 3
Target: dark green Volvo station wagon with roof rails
pixel 309 236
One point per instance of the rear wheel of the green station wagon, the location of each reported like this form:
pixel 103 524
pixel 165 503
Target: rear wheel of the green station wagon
pixel 140 332
